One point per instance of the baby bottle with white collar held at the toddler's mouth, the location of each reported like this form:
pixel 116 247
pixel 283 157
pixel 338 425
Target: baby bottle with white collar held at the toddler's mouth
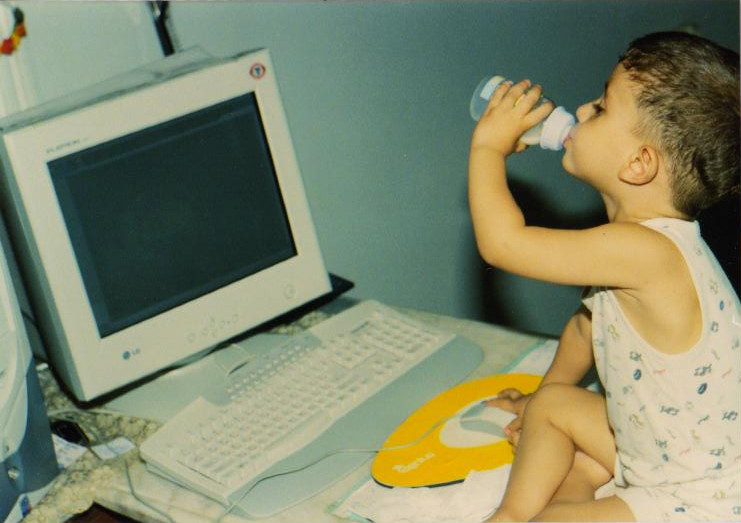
pixel 550 133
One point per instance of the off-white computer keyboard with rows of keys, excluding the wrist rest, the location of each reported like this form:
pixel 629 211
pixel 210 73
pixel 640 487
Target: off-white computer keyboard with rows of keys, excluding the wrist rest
pixel 278 403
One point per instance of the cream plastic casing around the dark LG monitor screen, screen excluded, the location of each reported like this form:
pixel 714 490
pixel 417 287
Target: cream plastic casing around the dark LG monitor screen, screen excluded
pixel 92 365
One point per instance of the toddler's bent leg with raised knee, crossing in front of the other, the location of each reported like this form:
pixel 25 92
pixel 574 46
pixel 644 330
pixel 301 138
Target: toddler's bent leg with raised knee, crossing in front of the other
pixel 558 420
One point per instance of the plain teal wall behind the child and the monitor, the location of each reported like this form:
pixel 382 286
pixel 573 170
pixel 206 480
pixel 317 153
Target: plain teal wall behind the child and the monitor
pixel 376 95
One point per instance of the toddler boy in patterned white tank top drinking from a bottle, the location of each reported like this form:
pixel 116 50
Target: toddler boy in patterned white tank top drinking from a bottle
pixel 660 321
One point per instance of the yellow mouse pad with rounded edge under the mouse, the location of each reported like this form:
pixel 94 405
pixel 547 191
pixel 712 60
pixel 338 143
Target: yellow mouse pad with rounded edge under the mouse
pixel 447 453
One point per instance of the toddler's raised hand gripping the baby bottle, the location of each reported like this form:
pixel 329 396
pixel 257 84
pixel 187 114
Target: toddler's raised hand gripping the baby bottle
pixel 509 114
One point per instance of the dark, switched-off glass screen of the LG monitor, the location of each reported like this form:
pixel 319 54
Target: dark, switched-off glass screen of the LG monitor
pixel 188 206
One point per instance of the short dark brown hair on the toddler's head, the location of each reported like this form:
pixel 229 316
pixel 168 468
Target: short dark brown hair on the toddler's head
pixel 688 100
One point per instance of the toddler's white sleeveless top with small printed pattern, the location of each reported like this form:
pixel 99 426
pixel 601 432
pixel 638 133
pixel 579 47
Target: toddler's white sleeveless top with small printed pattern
pixel 676 417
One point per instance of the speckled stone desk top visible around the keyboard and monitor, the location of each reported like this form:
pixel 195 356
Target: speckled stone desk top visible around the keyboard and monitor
pixel 91 480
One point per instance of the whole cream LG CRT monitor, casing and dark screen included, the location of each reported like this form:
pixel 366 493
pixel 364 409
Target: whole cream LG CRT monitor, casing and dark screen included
pixel 155 222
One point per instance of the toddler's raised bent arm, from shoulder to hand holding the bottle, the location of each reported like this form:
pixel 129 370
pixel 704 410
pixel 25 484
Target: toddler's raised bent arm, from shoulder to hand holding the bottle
pixel 607 255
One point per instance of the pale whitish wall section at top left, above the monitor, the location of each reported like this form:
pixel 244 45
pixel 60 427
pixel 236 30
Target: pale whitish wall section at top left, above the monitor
pixel 71 45
